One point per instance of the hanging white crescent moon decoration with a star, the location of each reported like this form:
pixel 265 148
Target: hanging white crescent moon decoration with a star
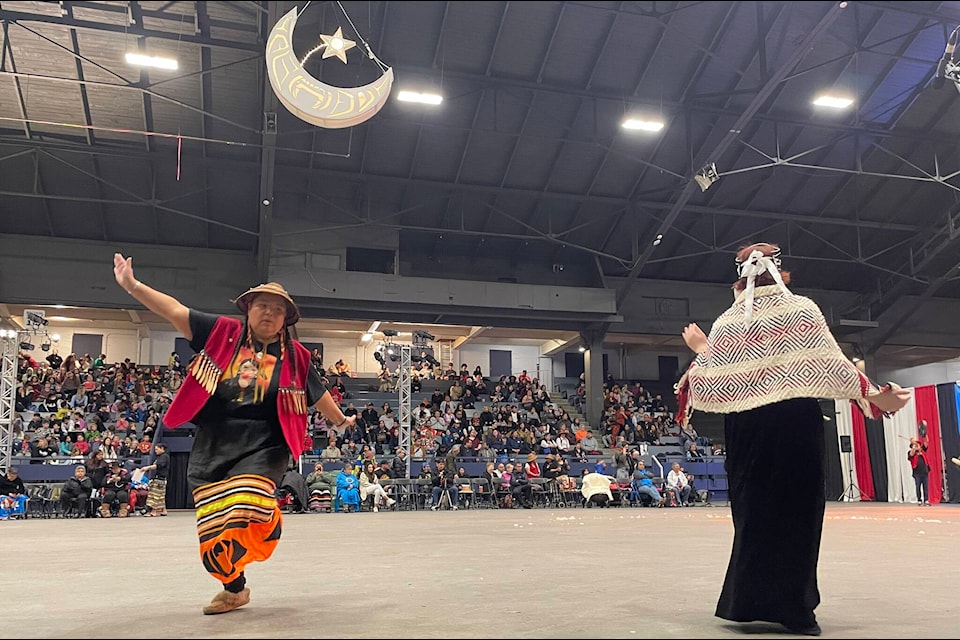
pixel 313 101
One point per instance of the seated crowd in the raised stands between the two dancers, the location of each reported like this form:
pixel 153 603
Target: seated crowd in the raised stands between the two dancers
pixel 505 419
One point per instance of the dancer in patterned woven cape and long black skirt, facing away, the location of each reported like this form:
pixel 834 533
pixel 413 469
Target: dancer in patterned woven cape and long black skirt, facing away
pixel 766 361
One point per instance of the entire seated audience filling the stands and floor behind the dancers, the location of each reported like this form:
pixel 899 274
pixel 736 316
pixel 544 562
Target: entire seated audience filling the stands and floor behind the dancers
pixel 91 414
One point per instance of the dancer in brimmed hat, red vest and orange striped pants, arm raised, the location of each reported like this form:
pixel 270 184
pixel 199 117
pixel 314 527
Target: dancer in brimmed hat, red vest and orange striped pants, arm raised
pixel 244 441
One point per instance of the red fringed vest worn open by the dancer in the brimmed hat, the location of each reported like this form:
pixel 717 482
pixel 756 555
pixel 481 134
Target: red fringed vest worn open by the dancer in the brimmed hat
pixel 207 367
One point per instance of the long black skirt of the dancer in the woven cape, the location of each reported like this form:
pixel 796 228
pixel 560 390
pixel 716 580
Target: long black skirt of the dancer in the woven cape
pixel 776 480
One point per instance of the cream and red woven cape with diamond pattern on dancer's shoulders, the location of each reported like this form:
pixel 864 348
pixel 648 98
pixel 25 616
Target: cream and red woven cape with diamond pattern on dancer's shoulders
pixel 786 351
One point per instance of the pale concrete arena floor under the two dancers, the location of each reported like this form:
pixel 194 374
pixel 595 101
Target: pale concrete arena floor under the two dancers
pixel 886 571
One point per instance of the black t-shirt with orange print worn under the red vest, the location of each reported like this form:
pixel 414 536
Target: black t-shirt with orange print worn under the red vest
pixel 238 429
